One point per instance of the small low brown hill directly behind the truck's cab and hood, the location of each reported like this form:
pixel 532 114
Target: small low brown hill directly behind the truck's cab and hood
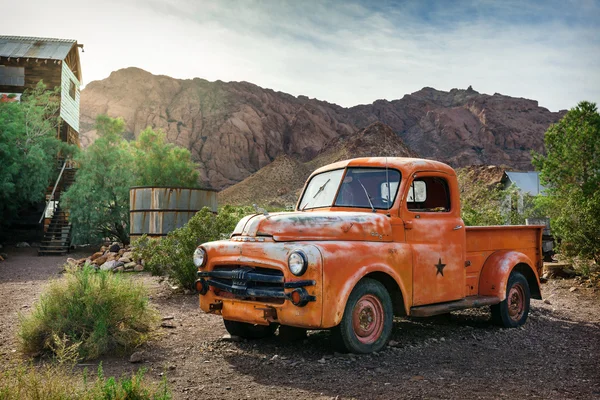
pixel 279 184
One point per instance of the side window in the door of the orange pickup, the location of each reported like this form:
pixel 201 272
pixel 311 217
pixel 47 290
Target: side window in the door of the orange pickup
pixel 429 194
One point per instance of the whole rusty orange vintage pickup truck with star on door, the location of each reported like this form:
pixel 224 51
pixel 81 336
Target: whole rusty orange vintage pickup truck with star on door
pixel 370 239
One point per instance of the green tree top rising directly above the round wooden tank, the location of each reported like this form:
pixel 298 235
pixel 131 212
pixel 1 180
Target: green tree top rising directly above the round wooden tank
pixel 158 163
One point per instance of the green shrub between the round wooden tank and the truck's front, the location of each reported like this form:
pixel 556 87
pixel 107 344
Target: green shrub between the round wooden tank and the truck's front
pixel 172 255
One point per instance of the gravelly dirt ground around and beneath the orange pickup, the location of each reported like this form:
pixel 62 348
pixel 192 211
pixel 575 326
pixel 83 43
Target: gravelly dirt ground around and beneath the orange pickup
pixel 555 355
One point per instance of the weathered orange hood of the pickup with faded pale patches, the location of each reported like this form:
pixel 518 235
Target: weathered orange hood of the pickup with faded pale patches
pixel 315 225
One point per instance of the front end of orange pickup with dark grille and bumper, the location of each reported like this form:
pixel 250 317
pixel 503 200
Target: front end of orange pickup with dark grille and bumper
pixel 250 282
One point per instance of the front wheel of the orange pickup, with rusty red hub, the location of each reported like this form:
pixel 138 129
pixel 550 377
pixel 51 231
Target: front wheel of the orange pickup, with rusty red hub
pixel 368 319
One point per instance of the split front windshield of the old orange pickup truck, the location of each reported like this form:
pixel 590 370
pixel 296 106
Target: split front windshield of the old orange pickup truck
pixel 372 188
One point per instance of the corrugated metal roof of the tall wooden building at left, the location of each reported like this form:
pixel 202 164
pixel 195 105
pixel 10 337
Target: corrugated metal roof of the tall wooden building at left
pixel 34 47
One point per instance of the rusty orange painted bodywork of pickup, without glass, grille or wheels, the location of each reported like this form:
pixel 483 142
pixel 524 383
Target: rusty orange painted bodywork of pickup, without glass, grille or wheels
pixel 426 256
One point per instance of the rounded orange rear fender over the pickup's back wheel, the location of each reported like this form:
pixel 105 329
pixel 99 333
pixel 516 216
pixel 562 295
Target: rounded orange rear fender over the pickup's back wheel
pixel 497 269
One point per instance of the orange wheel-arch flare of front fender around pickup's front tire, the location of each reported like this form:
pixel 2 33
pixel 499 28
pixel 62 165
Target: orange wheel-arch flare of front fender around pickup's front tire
pixel 332 315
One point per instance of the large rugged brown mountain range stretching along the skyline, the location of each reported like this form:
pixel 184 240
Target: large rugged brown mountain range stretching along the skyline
pixel 234 129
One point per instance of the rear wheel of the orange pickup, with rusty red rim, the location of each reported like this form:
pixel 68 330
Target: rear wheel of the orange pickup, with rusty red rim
pixel 513 311
